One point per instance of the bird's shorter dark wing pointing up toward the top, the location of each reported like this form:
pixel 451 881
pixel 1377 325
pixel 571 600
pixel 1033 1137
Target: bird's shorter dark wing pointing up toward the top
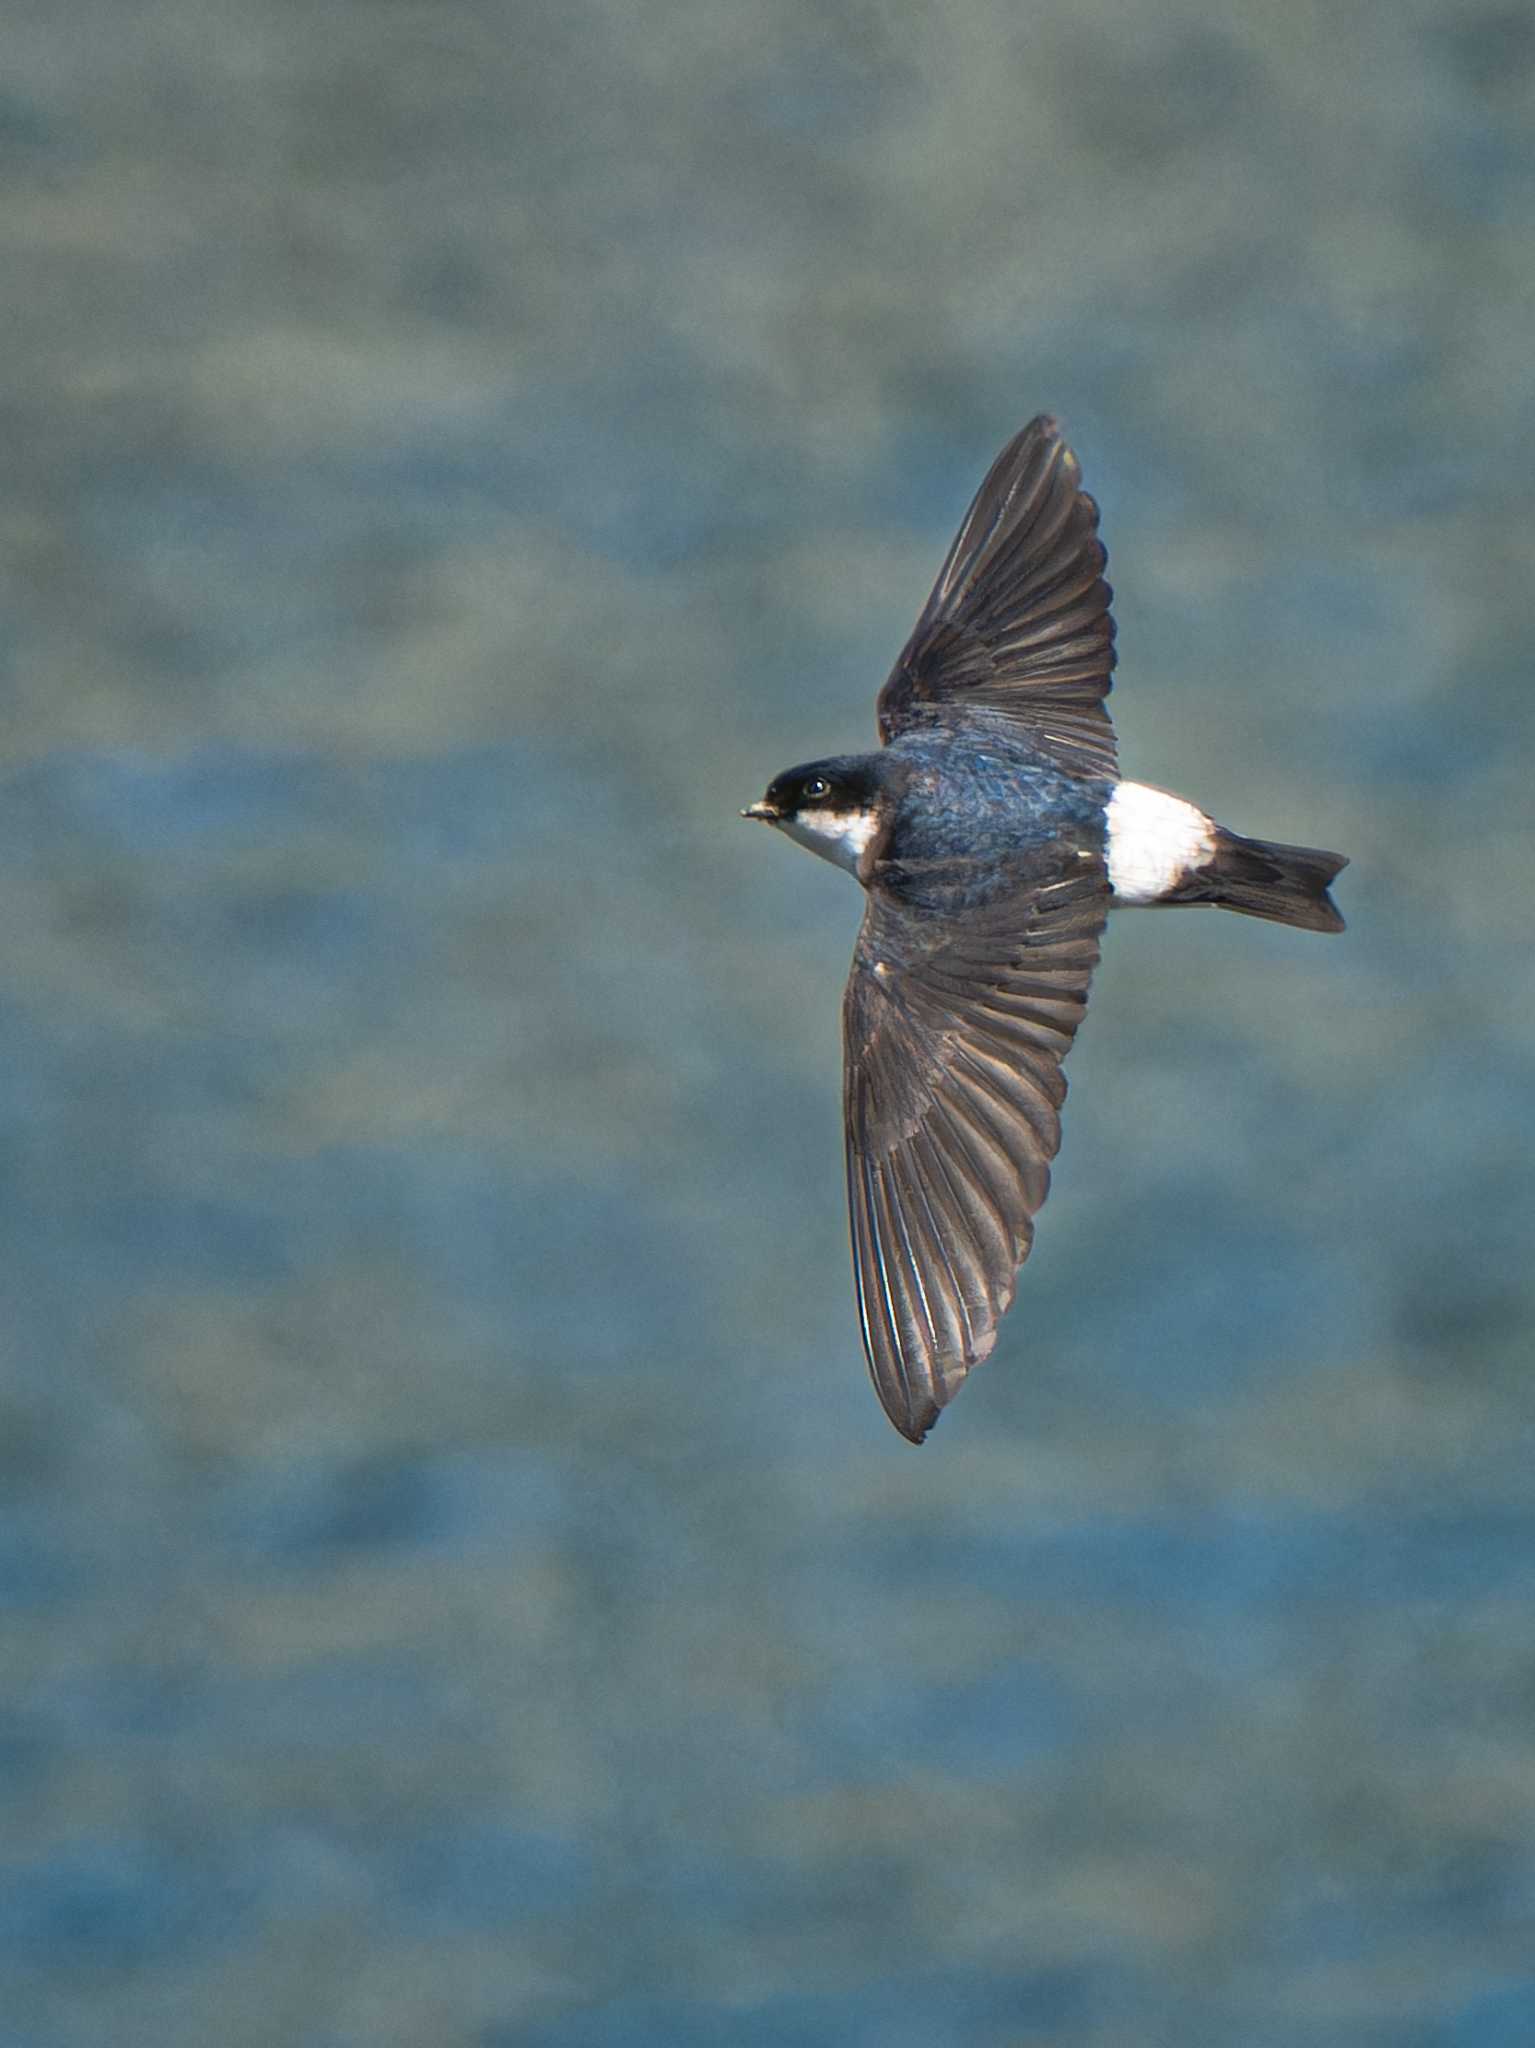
pixel 1020 615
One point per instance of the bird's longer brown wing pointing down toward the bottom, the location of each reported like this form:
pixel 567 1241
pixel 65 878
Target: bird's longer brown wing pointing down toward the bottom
pixel 953 1093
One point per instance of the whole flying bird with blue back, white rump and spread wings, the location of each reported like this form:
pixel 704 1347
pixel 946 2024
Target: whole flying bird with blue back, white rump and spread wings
pixel 994 835
